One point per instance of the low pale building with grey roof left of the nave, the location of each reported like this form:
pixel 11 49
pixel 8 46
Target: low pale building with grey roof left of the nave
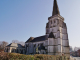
pixel 15 48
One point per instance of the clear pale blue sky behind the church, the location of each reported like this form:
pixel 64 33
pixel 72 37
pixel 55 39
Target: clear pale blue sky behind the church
pixel 21 19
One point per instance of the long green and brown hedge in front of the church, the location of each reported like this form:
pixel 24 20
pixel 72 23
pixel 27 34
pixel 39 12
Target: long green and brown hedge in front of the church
pixel 16 56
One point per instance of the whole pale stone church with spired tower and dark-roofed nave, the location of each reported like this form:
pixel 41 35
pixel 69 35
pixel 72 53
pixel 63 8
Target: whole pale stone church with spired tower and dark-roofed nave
pixel 55 41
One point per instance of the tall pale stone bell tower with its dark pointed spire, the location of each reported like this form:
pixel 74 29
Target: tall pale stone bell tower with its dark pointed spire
pixel 57 26
